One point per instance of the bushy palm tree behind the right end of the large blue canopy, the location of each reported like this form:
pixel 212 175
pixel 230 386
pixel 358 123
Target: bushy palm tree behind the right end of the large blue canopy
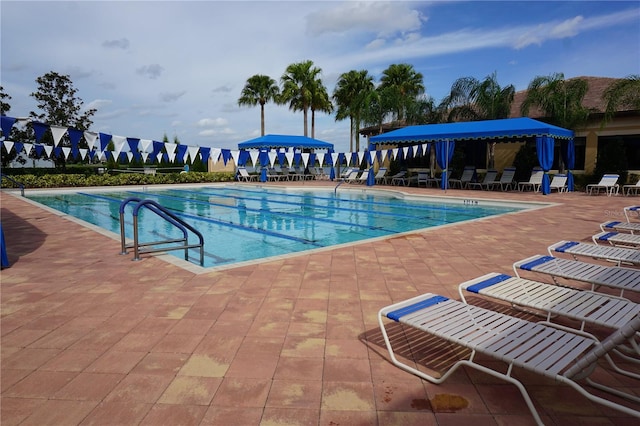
pixel 559 100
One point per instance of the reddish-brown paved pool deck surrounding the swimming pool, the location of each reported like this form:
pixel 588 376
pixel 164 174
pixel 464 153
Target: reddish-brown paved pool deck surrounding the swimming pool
pixel 90 337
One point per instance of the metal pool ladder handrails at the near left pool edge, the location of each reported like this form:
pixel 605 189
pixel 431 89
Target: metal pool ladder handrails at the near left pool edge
pixel 149 247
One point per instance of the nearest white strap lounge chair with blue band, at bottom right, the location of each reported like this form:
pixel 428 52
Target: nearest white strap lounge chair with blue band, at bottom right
pixel 551 351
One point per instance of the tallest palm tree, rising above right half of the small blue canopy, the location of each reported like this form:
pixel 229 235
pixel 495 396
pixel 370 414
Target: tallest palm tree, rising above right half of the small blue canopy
pixel 298 82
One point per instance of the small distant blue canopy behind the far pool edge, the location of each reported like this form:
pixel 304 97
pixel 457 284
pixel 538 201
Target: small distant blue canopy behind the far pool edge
pixel 268 143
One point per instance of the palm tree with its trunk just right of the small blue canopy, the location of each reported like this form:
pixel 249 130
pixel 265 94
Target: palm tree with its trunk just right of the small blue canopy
pixel 350 95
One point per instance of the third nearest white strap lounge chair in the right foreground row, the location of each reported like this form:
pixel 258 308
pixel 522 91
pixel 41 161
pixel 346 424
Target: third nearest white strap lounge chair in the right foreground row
pixel 613 277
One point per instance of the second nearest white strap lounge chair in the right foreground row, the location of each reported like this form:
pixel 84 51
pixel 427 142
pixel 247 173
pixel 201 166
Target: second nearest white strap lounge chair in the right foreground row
pixel 587 307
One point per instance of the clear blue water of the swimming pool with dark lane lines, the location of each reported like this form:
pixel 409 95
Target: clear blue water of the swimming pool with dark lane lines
pixel 242 223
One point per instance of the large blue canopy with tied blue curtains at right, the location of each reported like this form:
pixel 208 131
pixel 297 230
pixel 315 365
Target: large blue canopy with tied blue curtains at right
pixel 504 130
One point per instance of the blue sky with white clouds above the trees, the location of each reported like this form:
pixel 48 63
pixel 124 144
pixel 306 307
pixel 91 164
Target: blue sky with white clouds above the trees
pixel 177 68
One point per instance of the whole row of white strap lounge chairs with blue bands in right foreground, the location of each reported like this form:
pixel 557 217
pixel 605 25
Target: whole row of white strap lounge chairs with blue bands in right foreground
pixel 568 355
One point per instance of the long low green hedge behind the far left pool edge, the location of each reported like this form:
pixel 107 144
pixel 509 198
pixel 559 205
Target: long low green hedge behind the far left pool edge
pixel 119 179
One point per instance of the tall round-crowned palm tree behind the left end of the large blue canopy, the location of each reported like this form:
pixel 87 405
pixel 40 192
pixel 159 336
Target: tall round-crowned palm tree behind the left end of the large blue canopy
pixel 407 84
